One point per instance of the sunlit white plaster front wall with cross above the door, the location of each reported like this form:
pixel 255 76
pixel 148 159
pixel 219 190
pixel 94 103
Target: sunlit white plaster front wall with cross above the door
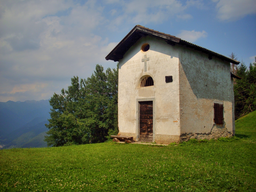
pixel 163 61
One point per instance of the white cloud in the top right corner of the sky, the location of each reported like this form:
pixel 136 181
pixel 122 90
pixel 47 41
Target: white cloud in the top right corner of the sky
pixel 229 10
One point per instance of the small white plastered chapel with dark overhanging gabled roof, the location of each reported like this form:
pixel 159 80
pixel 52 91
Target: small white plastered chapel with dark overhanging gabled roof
pixel 170 90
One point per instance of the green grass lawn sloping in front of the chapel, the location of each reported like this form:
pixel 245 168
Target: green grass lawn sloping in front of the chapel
pixel 222 165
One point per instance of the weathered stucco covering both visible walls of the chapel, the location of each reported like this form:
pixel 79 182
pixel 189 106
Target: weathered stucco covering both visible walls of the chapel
pixel 182 108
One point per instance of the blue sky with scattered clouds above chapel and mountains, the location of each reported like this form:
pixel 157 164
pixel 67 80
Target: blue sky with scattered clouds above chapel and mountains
pixel 44 43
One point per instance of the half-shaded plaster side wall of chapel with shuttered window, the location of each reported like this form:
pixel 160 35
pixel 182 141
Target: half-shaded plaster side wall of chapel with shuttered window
pixel 204 82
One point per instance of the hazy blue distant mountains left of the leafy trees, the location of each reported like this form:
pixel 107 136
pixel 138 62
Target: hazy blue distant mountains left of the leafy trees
pixel 22 124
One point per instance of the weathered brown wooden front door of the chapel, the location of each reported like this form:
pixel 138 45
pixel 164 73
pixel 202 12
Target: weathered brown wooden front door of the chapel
pixel 146 121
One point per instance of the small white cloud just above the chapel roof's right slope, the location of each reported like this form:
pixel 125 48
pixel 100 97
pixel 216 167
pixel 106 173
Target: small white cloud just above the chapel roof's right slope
pixel 192 36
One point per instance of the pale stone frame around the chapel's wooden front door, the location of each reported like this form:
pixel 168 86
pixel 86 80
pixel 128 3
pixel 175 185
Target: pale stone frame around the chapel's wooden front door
pixel 138 100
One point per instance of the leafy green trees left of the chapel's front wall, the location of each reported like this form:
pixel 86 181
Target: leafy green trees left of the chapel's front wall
pixel 86 112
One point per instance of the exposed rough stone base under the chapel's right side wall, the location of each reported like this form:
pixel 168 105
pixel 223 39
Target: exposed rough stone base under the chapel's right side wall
pixel 214 134
